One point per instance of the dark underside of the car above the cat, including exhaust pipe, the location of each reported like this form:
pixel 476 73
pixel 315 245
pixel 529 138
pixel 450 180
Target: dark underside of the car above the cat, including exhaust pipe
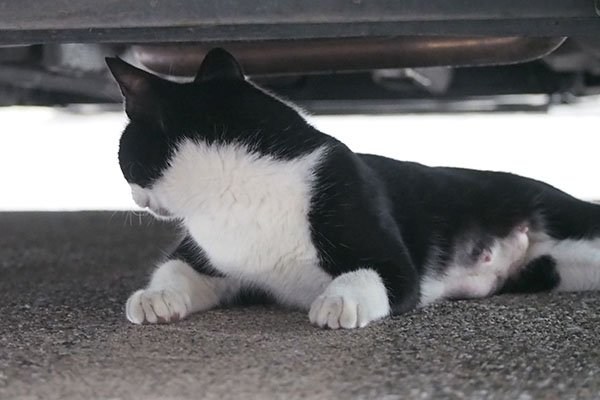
pixel 330 57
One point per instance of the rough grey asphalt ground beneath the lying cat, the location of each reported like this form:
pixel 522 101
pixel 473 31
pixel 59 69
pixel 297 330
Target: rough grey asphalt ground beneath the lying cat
pixel 64 279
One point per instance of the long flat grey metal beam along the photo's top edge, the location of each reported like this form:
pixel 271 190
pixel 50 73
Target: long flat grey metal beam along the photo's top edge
pixel 128 21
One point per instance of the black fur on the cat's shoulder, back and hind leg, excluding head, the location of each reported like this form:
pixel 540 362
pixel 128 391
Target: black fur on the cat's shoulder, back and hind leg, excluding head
pixel 390 214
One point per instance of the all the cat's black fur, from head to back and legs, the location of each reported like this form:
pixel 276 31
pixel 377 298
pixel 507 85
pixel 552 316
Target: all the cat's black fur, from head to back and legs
pixel 367 211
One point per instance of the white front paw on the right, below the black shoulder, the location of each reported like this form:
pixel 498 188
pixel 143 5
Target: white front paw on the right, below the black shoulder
pixel 352 300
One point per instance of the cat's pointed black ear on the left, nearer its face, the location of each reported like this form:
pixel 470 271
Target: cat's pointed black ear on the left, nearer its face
pixel 140 88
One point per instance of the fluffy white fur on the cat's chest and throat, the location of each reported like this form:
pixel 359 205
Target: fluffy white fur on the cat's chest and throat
pixel 249 213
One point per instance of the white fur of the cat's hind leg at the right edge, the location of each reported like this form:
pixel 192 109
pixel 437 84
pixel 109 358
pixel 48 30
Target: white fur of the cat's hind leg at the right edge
pixel 577 261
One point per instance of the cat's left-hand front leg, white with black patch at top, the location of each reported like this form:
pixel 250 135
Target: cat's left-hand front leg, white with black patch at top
pixel 182 285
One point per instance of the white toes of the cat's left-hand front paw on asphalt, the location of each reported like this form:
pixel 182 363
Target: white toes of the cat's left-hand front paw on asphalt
pixel 155 306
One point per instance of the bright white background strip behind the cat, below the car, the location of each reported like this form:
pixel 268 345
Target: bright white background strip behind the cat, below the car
pixel 54 160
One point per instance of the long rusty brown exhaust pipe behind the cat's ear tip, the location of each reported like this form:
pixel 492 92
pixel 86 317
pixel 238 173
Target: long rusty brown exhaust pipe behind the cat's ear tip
pixel 325 55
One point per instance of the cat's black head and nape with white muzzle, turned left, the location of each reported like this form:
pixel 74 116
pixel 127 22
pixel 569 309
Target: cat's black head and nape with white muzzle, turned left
pixel 219 107
